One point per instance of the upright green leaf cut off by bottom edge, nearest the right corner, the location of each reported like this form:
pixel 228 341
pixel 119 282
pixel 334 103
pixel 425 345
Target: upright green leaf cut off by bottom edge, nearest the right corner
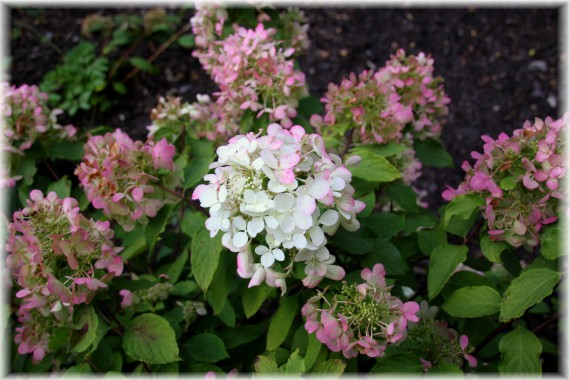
pixel 520 350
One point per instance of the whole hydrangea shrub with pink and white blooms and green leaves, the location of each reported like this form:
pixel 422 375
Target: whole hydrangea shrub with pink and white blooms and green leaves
pixel 339 261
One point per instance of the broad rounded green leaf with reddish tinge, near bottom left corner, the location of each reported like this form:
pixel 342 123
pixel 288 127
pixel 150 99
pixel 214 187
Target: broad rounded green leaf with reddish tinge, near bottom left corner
pixel 149 338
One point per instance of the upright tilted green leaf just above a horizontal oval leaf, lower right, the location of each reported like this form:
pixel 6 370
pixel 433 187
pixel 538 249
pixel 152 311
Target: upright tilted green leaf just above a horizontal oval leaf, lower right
pixel 444 260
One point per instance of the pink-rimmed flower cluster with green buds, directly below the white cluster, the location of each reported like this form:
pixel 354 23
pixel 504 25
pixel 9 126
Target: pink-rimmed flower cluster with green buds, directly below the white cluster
pixel 360 319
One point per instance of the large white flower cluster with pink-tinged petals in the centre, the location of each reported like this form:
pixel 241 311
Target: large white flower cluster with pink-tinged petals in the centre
pixel 280 192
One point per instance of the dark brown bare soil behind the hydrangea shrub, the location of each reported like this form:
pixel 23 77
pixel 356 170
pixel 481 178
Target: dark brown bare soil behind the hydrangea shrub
pixel 500 67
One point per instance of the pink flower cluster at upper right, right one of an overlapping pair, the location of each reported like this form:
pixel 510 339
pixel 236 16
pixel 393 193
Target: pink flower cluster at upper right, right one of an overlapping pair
pixel 412 77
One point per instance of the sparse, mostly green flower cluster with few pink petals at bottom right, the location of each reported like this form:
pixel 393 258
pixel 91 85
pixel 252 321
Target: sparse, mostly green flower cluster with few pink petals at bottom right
pixel 435 343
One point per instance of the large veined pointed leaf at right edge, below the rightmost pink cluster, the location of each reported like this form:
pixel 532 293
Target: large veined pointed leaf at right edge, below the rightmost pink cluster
pixel 528 289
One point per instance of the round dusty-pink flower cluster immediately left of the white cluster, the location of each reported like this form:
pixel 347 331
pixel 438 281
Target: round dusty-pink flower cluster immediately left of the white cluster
pixel 129 180
